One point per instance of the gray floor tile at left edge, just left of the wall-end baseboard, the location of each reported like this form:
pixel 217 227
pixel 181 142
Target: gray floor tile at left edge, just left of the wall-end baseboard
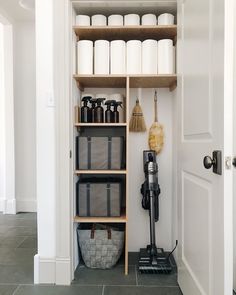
pixel 17 274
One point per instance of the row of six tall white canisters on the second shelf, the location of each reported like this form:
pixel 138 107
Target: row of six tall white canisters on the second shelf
pixel 120 57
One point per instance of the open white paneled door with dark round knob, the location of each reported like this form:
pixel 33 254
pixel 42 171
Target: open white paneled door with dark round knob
pixel 205 117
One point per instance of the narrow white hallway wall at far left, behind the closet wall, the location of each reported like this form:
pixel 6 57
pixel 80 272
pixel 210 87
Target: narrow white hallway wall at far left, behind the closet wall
pixel 25 115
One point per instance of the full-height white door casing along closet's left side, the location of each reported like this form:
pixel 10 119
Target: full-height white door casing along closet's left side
pixel 64 223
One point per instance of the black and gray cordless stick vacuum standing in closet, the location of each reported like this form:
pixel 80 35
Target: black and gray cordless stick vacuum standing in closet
pixel 152 259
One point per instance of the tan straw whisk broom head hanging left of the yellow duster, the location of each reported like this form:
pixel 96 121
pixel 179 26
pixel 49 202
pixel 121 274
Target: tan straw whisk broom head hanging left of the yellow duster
pixel 137 122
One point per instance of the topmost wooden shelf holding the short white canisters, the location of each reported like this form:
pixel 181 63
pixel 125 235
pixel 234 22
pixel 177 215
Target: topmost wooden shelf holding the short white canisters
pixel 126 32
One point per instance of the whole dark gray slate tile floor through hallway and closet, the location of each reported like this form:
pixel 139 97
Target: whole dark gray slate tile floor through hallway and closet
pixel 18 243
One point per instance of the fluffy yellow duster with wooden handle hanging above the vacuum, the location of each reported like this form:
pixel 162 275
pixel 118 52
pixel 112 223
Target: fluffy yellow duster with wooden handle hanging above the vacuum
pixel 156 134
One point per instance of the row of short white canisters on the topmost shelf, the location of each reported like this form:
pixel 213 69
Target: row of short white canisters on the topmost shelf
pixel 127 20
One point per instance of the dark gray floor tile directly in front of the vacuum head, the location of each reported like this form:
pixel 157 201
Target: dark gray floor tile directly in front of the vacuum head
pixel 167 280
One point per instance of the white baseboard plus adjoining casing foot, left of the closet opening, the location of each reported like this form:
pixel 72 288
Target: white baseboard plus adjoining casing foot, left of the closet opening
pixel 52 271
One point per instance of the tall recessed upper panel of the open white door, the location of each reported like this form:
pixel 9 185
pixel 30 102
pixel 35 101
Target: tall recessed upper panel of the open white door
pixel 196 66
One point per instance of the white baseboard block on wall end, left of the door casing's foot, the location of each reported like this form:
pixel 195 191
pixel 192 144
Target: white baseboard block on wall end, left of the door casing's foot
pixel 44 270
